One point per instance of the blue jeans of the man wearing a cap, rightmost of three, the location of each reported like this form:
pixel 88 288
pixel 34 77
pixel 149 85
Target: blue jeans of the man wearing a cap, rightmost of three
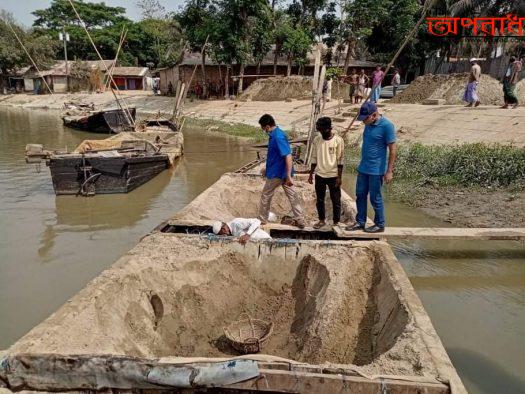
pixel 369 184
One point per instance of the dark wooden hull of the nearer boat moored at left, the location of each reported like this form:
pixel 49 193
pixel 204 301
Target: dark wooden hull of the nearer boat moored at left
pixel 117 174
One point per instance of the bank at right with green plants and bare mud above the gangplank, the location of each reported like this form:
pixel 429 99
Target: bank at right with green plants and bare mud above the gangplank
pixel 471 185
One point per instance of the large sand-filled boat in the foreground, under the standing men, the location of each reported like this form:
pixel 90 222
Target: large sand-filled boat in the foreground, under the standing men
pixel 345 316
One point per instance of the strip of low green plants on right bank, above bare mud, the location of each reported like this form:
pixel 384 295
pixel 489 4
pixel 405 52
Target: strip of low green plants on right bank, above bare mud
pixel 464 165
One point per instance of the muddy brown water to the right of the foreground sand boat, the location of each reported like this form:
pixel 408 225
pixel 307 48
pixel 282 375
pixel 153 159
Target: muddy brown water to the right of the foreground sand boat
pixel 474 292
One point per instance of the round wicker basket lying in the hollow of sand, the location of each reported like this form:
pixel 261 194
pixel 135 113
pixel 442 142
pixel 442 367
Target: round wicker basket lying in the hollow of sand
pixel 247 335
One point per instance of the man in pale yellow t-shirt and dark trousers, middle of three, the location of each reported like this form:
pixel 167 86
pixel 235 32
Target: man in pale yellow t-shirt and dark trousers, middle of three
pixel 327 164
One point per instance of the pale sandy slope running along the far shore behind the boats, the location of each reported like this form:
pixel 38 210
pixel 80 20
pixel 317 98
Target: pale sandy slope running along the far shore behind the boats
pixel 429 124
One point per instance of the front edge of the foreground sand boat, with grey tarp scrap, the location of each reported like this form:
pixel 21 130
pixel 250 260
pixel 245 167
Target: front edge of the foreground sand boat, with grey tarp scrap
pixel 54 372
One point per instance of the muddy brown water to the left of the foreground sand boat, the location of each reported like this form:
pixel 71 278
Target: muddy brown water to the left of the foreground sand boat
pixel 50 247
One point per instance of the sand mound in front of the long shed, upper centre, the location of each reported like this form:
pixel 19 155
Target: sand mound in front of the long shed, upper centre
pixel 284 88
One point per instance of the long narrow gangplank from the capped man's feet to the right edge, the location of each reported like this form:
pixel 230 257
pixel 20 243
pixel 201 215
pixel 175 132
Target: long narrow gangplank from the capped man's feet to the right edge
pixel 484 234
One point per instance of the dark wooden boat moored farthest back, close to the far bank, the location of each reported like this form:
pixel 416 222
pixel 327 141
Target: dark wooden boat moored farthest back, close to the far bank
pixel 101 121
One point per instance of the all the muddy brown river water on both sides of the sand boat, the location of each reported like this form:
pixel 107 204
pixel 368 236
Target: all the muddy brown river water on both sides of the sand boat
pixel 50 247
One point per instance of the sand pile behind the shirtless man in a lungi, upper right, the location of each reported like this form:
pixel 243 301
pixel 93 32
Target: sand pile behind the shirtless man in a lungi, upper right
pixel 450 88
